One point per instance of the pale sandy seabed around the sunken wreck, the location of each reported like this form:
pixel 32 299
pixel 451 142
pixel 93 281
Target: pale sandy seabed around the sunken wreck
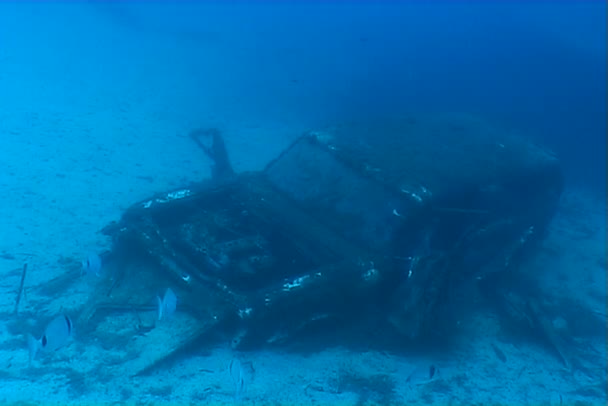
pixel 94 118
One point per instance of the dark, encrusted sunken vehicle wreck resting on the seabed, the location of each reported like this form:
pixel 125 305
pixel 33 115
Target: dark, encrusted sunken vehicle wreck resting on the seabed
pixel 387 215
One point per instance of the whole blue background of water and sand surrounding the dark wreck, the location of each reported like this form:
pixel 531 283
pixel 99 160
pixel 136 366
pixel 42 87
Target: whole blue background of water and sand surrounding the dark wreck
pixel 97 99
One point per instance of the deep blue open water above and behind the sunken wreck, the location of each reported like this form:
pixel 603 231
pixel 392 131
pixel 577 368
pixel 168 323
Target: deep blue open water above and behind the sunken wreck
pixel 538 68
